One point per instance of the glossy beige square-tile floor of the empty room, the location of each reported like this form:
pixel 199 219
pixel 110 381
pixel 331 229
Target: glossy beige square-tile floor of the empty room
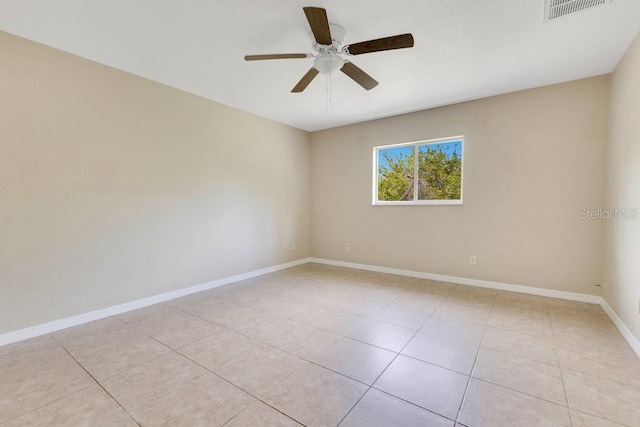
pixel 318 345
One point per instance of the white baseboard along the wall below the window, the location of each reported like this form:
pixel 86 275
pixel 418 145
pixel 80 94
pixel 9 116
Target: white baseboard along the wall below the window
pixel 593 299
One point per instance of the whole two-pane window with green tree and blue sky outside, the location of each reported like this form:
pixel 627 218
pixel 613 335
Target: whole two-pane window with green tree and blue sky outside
pixel 438 180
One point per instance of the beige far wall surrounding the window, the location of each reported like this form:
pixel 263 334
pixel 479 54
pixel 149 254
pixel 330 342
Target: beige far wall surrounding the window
pixel 532 160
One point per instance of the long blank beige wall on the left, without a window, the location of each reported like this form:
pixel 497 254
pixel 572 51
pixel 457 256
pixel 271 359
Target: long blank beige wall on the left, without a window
pixel 115 188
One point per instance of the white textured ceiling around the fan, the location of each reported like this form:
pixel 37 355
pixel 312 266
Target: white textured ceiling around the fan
pixel 464 49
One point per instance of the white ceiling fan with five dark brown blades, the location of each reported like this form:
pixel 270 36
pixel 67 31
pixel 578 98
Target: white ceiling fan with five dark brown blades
pixel 329 51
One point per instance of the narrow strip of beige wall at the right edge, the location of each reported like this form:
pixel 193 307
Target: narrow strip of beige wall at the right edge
pixel 622 253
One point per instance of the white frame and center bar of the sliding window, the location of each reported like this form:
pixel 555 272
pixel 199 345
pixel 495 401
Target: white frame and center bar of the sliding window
pixel 415 201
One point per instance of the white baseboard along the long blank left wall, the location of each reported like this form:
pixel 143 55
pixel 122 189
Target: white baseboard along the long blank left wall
pixel 57 325
